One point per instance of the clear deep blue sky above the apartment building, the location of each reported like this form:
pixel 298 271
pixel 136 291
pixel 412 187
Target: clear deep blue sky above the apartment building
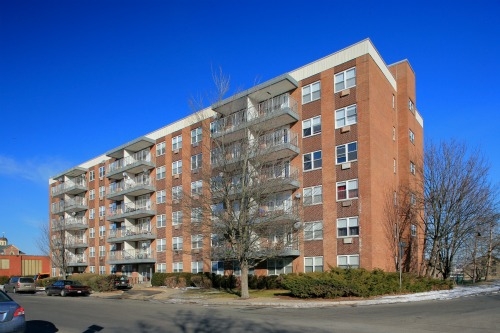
pixel 78 78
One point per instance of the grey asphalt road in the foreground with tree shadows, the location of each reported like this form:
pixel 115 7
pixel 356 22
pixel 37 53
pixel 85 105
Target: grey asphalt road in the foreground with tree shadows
pixel 92 314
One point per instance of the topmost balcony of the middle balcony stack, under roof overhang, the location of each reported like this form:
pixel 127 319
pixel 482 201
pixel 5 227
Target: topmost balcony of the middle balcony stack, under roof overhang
pixel 134 164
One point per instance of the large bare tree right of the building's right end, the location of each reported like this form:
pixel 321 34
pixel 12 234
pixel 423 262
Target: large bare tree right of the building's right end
pixel 458 198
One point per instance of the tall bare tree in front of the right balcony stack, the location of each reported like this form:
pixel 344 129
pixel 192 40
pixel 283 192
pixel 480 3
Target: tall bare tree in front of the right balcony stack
pixel 248 210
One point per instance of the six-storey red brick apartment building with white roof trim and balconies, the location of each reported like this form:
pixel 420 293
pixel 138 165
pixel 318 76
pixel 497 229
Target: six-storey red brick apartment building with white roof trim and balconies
pixel 347 126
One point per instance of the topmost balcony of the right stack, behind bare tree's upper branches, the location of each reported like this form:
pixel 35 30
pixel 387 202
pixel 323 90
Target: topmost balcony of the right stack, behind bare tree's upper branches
pixel 273 113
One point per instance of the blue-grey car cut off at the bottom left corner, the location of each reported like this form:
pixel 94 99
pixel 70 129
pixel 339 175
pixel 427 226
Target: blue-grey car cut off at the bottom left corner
pixel 12 317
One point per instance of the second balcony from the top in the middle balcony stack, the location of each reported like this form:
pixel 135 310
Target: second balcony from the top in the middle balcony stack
pixel 135 187
